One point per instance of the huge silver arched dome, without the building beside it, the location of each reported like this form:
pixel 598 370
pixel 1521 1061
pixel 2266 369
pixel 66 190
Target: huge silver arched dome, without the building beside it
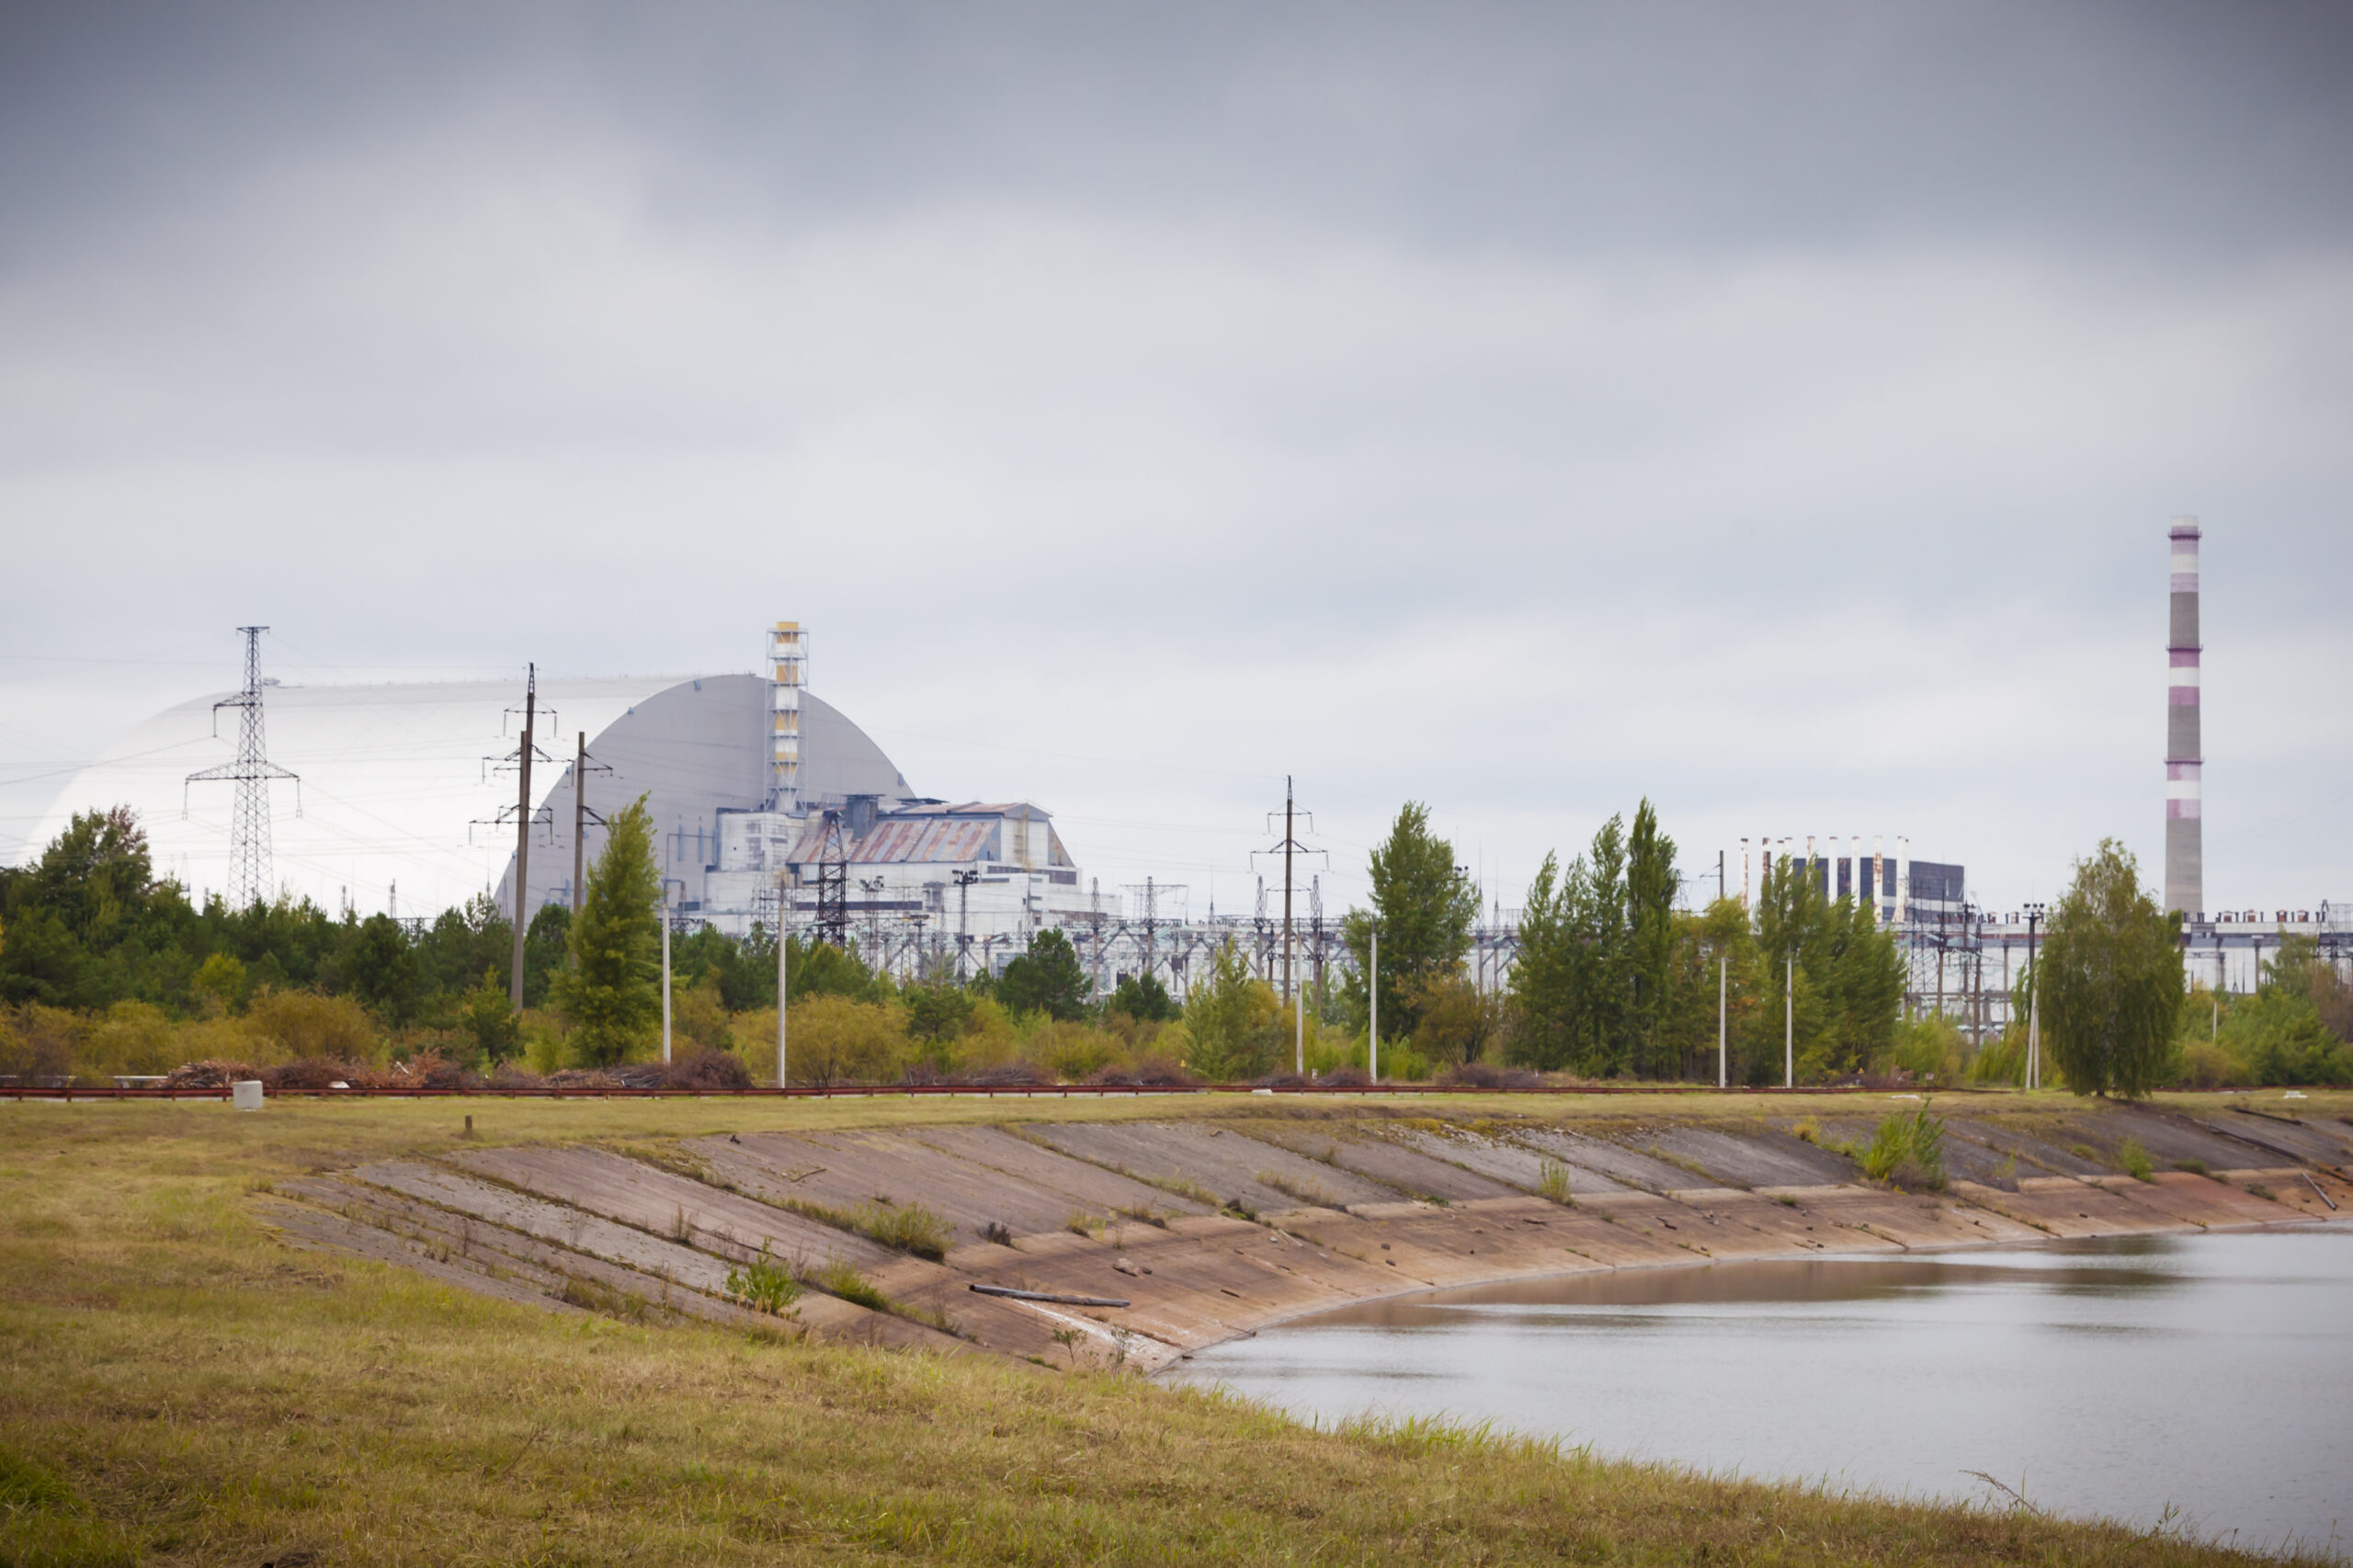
pixel 401 788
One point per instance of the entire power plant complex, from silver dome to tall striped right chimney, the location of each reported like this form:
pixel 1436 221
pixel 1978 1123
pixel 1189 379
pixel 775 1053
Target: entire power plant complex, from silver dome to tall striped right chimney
pixel 771 806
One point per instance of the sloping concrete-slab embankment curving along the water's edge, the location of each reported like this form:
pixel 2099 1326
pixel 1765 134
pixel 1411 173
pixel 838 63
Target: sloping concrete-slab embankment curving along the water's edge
pixel 1222 1228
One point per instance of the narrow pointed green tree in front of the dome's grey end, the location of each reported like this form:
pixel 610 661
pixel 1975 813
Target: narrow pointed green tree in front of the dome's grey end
pixel 613 988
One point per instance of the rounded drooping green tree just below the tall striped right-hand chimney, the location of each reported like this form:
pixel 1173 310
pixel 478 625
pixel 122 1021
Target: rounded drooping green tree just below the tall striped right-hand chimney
pixel 2112 978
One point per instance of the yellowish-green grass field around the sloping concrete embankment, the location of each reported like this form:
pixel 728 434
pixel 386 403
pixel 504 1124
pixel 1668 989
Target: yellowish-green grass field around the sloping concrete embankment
pixel 182 1388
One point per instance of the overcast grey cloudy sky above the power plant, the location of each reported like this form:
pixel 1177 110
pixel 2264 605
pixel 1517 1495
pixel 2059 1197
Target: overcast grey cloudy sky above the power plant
pixel 1766 408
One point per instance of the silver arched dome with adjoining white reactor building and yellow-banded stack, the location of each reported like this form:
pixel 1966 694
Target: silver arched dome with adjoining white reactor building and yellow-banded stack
pixel 404 799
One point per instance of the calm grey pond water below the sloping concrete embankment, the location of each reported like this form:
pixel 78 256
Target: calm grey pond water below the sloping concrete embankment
pixel 2124 1376
